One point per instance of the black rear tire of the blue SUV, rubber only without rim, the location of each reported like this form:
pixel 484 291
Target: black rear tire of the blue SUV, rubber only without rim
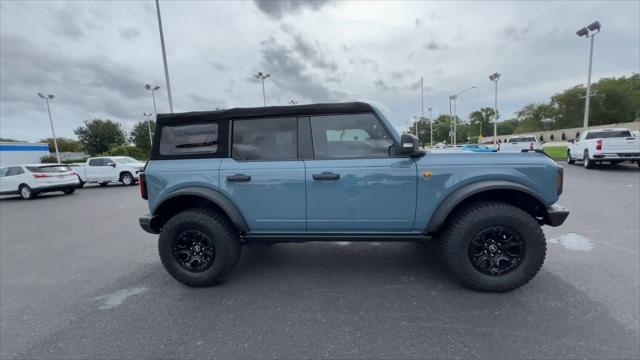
pixel 220 231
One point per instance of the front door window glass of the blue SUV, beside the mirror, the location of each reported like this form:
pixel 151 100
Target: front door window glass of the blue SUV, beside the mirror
pixel 349 136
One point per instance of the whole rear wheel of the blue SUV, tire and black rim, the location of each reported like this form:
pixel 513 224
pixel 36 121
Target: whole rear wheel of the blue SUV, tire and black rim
pixel 199 247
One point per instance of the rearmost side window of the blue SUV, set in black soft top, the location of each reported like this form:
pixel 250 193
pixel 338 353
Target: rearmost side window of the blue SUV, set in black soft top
pixel 189 139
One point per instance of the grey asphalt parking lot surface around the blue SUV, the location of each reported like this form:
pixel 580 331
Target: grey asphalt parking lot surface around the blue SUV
pixel 80 279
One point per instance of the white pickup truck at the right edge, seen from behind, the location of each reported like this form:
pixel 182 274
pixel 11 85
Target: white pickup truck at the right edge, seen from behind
pixel 613 145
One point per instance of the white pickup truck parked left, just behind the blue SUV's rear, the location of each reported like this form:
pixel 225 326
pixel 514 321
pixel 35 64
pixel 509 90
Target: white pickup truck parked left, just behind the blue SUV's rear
pixel 104 170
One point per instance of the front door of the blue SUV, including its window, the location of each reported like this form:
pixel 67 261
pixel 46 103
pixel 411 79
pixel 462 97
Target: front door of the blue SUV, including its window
pixel 353 183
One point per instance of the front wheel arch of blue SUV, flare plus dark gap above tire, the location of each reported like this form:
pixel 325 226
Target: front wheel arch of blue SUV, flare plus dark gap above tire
pixel 504 191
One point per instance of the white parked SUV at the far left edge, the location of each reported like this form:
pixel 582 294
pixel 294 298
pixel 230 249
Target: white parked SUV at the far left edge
pixel 32 179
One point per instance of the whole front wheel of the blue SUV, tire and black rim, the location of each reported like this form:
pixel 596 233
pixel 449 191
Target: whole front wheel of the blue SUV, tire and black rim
pixel 493 246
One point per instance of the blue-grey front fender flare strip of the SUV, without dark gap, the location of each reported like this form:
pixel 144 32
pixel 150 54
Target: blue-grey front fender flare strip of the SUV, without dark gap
pixel 450 202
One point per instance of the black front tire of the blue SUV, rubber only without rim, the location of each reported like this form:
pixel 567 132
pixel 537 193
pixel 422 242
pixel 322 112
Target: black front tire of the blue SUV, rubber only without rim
pixel 467 222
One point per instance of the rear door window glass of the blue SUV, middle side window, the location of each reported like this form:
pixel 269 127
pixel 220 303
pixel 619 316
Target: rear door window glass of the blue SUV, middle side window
pixel 265 139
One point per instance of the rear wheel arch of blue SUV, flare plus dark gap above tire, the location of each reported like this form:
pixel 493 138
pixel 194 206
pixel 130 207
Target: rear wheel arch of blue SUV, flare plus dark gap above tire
pixel 190 197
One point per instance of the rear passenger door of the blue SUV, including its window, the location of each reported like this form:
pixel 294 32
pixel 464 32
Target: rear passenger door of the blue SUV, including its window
pixel 265 177
